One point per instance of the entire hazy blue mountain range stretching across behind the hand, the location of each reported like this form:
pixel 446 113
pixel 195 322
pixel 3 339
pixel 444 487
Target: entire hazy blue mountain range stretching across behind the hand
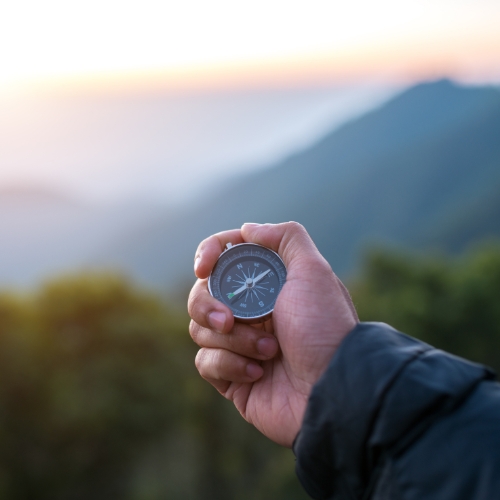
pixel 421 171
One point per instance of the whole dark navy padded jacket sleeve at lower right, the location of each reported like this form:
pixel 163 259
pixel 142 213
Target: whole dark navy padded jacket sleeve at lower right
pixel 393 418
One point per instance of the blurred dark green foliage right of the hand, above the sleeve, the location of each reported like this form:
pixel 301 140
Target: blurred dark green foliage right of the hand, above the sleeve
pixel 451 304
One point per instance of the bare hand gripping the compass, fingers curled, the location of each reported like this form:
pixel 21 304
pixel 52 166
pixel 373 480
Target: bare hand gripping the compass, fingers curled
pixel 268 371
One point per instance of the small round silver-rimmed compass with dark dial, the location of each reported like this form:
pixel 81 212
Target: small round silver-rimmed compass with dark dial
pixel 248 278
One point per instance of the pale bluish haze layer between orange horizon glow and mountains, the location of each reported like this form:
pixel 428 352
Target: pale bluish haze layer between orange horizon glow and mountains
pixel 163 147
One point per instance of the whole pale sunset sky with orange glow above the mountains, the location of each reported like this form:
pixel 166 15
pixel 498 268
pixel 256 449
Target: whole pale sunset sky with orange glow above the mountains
pixel 120 99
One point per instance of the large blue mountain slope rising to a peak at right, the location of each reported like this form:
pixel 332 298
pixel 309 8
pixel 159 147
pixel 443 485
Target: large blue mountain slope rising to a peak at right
pixel 414 172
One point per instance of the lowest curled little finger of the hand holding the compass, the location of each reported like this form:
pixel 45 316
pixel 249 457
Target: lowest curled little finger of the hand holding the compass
pixel 221 367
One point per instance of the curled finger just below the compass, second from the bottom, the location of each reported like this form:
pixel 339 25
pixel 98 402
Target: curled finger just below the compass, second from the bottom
pixel 243 339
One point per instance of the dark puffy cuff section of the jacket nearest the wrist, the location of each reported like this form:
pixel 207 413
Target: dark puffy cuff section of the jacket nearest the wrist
pixel 381 389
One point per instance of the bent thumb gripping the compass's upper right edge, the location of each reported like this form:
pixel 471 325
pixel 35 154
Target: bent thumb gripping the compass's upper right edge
pixel 289 239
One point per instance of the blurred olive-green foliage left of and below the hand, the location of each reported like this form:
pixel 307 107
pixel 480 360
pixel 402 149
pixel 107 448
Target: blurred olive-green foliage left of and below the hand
pixel 99 398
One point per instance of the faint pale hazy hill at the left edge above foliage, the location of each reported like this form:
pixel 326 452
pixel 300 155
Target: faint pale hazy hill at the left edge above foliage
pixel 44 233
